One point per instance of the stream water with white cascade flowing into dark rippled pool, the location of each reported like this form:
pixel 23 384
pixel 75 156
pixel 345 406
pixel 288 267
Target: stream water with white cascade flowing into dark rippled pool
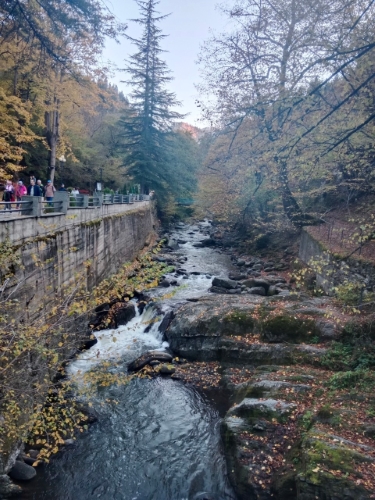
pixel 161 440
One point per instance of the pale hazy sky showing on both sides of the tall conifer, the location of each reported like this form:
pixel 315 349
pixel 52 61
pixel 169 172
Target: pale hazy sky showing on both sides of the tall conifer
pixel 188 26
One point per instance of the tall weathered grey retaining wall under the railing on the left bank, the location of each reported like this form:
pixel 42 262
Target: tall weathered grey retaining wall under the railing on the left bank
pixel 53 248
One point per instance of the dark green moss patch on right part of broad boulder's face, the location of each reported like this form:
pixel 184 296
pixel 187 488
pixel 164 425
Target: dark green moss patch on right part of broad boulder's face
pixel 287 328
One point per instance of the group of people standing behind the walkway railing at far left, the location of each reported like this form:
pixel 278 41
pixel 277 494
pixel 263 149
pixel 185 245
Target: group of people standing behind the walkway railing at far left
pixel 14 191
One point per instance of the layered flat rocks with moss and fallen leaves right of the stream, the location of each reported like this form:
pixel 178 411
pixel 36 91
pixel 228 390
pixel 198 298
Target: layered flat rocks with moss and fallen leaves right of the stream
pixel 293 430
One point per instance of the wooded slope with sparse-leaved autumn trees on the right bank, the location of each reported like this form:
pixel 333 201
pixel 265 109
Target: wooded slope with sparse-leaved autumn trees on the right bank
pixel 293 110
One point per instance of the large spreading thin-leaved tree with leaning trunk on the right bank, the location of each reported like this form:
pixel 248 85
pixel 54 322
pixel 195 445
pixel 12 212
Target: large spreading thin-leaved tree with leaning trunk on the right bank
pixel 269 74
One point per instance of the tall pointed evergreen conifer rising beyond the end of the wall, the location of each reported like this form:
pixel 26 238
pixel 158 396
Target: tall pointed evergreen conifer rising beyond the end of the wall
pixel 146 130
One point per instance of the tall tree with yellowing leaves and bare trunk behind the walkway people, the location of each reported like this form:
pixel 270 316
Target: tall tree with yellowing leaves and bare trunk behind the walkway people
pixel 52 43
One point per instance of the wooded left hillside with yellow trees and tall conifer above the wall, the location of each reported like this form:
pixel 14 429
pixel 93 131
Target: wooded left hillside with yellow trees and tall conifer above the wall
pixel 60 119
